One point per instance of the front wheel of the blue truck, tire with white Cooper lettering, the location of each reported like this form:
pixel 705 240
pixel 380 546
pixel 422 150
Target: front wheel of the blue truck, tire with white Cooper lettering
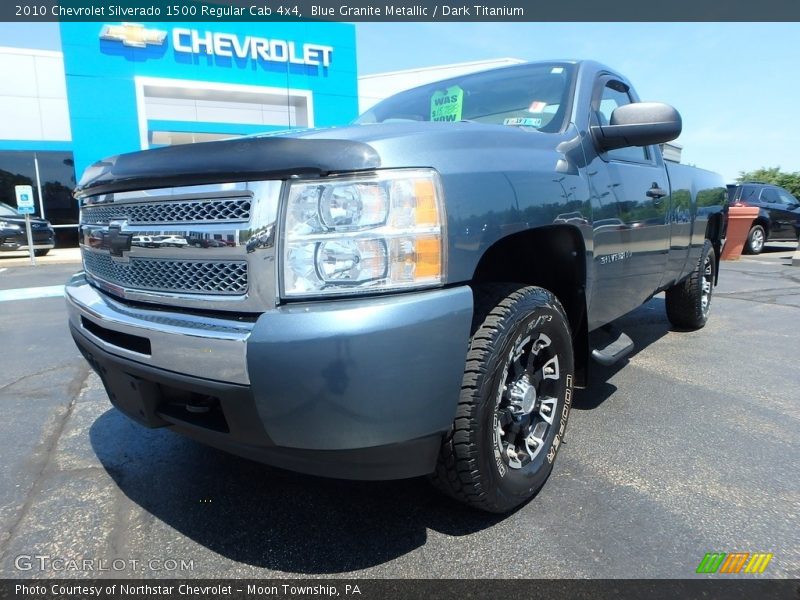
pixel 473 465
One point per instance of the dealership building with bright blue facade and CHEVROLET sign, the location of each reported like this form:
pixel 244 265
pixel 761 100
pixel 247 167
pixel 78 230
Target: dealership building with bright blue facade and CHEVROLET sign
pixel 121 87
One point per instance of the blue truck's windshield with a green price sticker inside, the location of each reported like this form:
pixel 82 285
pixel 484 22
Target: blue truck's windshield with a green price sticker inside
pixel 534 96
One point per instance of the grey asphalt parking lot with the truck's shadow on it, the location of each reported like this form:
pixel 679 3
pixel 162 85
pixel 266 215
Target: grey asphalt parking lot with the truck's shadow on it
pixel 689 446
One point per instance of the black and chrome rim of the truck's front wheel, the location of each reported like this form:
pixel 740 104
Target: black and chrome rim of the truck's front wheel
pixel 526 400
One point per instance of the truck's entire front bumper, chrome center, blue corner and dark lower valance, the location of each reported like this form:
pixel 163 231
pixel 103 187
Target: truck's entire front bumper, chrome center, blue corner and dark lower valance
pixel 359 389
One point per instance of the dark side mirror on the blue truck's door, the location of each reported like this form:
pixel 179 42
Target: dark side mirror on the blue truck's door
pixel 638 124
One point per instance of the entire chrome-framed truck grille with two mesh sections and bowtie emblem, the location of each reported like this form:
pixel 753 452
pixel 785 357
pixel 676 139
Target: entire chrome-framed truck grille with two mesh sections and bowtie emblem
pixel 203 247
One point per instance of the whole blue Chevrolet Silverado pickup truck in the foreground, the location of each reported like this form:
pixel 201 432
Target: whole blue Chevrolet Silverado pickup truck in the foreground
pixel 409 295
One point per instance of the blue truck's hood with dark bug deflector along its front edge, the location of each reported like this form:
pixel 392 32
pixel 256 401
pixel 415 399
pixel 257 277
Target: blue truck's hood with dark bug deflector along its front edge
pixel 300 153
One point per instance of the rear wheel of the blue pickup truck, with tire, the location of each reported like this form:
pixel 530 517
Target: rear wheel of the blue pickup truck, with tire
pixel 688 303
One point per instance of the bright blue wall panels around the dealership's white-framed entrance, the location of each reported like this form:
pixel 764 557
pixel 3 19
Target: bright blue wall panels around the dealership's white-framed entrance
pixel 102 94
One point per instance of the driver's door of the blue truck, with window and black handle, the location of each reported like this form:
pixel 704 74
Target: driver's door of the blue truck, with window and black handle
pixel 632 201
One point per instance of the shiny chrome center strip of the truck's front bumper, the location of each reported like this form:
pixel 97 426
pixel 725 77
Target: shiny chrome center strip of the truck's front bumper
pixel 210 348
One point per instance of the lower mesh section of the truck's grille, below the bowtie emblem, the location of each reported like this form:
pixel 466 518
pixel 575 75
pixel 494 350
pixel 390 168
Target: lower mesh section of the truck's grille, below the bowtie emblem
pixel 175 276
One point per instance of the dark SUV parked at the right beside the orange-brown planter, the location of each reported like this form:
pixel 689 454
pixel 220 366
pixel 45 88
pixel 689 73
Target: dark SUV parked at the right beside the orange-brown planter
pixel 778 217
